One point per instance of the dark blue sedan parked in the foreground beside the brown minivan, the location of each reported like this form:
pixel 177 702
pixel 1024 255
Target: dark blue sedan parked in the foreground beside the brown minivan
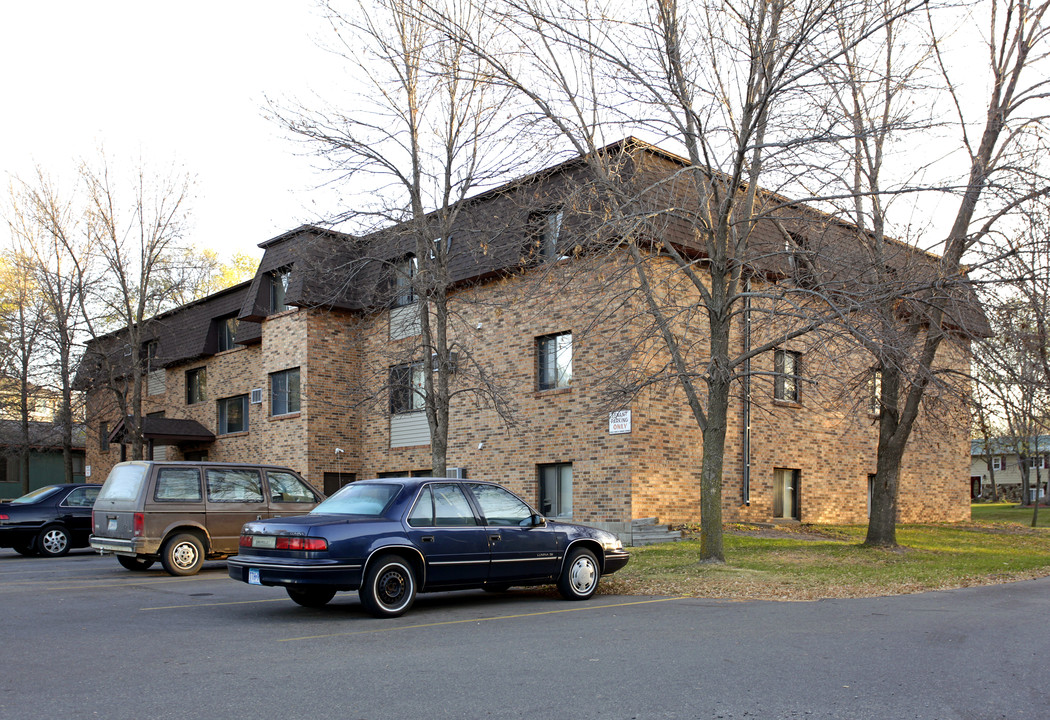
pixel 391 539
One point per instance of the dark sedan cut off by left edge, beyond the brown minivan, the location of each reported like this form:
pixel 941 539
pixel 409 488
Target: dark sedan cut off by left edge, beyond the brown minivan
pixel 50 520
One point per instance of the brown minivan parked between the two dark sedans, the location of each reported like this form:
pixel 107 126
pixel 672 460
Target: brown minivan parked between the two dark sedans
pixel 185 513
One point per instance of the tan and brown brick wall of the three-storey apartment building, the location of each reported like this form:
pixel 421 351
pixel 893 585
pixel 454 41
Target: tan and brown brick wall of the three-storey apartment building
pixel 654 472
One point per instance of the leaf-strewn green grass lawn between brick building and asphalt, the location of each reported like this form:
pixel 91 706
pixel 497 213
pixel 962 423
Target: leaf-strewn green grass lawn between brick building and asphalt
pixel 821 562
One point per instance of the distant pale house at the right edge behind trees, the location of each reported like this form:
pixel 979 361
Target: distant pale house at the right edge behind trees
pixel 1006 462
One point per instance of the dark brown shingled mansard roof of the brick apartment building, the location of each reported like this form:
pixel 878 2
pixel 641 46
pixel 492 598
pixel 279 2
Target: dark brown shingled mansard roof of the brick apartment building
pixel 492 236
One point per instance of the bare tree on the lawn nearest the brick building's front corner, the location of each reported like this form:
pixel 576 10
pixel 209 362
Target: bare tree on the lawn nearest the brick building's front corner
pixel 727 82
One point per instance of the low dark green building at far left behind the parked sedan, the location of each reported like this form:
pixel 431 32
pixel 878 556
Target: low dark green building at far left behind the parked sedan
pixel 46 457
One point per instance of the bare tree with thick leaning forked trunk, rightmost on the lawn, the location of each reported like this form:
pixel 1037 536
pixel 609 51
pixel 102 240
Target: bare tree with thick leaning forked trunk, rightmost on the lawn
pixel 909 326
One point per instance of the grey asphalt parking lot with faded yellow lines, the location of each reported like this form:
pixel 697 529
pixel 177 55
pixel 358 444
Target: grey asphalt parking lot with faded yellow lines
pixel 82 638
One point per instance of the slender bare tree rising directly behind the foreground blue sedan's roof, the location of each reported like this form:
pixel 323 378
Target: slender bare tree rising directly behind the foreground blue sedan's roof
pixel 424 134
